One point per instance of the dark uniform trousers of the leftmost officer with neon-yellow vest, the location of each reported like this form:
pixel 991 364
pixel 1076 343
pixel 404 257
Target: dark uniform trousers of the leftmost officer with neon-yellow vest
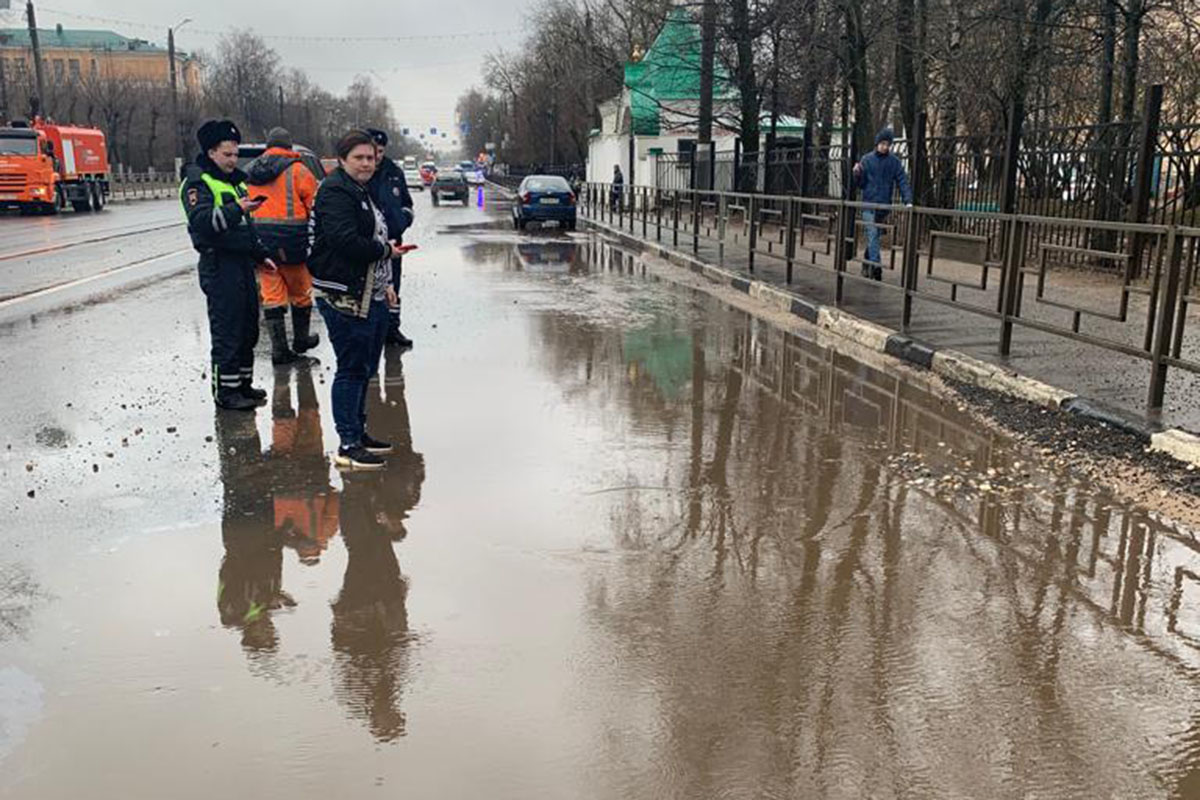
pixel 231 290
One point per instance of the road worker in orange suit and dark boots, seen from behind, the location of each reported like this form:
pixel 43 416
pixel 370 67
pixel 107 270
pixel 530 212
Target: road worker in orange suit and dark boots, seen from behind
pixel 283 224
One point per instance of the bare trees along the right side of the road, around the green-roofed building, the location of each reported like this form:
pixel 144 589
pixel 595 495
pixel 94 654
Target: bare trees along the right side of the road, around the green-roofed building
pixel 867 63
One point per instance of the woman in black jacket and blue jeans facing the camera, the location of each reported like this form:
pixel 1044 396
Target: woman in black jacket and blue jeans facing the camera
pixel 351 266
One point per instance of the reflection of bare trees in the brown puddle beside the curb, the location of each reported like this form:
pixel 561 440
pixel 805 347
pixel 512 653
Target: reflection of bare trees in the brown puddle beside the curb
pixel 817 628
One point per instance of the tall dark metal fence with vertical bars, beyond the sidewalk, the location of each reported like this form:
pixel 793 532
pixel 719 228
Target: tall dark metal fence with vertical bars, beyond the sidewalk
pixel 1141 171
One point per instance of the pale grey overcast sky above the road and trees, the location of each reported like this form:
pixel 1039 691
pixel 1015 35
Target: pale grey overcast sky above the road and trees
pixel 423 79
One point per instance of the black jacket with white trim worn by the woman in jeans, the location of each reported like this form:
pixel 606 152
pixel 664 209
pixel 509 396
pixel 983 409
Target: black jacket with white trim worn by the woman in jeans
pixel 343 244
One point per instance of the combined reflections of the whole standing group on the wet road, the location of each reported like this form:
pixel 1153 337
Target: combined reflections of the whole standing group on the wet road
pixel 280 500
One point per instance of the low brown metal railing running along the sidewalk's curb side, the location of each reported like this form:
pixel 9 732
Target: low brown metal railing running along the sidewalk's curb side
pixel 1129 288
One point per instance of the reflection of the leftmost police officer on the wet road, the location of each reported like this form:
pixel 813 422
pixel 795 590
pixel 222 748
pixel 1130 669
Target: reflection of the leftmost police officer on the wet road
pixel 250 581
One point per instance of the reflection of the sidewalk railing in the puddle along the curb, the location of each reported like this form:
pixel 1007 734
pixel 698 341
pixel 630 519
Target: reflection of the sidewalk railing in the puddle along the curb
pixel 1129 567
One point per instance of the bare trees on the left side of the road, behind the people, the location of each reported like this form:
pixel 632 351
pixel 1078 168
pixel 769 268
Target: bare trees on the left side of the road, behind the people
pixel 244 80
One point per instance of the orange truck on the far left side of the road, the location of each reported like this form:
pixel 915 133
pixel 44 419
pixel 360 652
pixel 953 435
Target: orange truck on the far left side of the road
pixel 45 167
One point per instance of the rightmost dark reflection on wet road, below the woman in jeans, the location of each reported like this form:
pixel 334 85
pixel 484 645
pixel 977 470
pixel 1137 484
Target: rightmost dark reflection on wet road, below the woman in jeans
pixel 370 630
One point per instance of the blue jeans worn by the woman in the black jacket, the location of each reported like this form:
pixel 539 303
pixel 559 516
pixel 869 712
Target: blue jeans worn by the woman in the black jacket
pixel 358 345
